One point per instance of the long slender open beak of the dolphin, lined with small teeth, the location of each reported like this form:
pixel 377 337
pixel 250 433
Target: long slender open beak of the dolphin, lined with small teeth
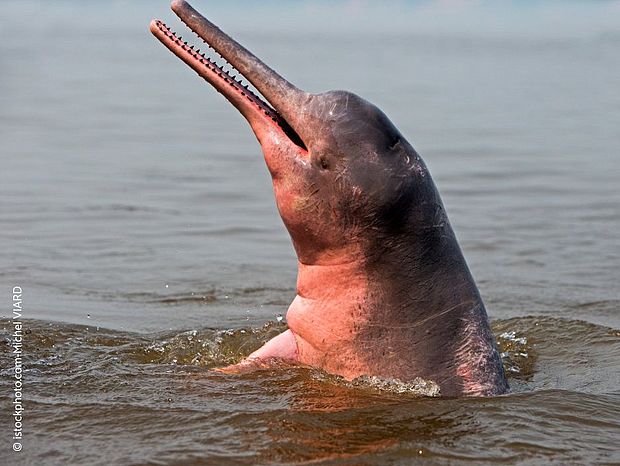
pixel 257 111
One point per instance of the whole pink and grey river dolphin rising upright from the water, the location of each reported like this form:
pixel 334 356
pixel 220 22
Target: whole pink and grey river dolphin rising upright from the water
pixel 382 286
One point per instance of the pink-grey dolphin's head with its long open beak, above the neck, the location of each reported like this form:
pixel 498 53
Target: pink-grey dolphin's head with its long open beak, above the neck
pixel 343 175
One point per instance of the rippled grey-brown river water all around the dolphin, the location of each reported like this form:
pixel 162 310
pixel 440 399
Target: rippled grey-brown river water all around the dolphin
pixel 137 215
